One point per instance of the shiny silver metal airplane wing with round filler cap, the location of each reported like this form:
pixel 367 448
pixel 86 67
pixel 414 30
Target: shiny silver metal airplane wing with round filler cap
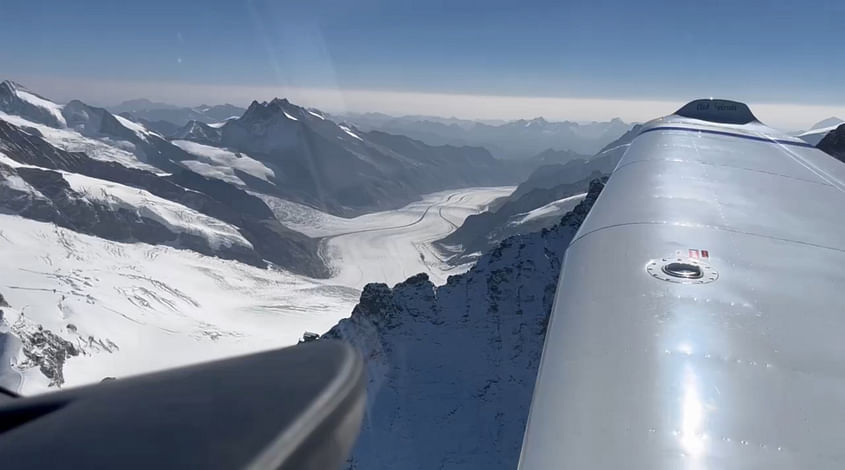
pixel 699 320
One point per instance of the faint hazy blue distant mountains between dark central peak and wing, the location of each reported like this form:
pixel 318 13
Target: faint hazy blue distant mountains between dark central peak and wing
pixel 515 139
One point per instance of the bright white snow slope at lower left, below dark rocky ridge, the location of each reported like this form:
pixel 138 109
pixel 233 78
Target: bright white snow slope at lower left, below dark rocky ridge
pixel 132 308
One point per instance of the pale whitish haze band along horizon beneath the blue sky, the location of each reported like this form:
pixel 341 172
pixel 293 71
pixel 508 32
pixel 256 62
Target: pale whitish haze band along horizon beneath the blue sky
pixel 787 116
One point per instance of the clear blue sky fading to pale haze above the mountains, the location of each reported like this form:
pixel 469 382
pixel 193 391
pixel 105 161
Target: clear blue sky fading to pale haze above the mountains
pixel 758 51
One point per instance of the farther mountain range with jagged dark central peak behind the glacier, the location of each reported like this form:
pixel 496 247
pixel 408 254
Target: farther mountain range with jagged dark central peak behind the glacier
pixel 298 153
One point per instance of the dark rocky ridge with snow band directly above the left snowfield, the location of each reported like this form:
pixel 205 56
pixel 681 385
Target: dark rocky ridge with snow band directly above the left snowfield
pixel 183 209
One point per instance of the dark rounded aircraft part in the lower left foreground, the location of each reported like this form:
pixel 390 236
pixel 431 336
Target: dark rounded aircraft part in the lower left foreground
pixel 298 408
